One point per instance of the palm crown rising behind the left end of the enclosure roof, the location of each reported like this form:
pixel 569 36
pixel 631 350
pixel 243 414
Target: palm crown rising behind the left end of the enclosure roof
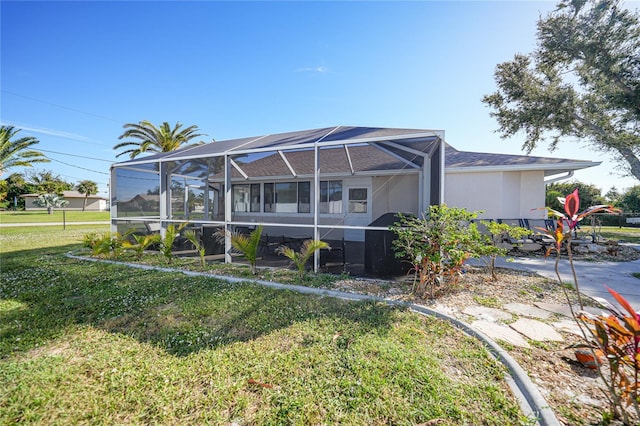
pixel 148 137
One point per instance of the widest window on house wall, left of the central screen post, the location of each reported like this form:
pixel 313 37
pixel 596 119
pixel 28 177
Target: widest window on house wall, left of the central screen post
pixel 287 197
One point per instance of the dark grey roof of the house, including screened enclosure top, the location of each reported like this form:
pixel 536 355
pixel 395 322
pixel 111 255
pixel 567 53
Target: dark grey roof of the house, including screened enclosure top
pixel 369 149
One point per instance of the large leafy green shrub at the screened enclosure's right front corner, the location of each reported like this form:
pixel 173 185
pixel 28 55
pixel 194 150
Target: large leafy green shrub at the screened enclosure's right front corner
pixel 436 244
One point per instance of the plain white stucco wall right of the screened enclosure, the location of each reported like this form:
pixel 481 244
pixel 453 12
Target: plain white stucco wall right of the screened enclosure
pixel 500 195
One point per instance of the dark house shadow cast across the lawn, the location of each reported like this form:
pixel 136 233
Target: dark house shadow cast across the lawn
pixel 43 294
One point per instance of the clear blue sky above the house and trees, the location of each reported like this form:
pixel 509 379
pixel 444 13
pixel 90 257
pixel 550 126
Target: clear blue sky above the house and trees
pixel 72 73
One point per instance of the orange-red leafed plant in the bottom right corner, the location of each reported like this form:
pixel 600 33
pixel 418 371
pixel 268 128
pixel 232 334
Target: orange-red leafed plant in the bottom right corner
pixel 617 335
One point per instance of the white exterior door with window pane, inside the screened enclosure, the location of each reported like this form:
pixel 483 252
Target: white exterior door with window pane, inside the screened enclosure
pixel 357 206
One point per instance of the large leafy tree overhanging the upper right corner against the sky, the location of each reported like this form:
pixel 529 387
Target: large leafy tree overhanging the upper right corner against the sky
pixel 582 81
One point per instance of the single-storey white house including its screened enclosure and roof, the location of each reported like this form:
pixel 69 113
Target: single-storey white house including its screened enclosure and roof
pixel 328 183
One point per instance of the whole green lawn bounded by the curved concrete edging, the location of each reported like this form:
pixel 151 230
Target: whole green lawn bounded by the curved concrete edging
pixel 93 343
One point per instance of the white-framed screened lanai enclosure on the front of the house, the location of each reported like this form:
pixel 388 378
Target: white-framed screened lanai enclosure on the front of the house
pixel 334 184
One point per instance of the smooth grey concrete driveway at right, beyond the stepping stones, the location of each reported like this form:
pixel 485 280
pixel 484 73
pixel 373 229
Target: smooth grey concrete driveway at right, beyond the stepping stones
pixel 593 277
